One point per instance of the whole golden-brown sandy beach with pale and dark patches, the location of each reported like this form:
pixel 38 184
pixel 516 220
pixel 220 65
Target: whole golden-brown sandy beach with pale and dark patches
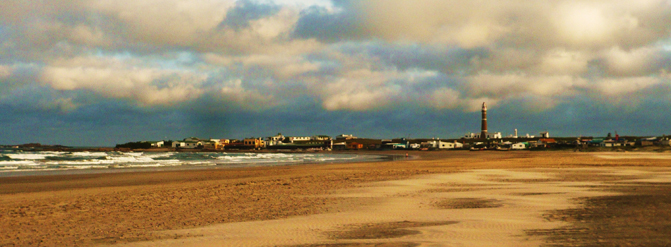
pixel 442 198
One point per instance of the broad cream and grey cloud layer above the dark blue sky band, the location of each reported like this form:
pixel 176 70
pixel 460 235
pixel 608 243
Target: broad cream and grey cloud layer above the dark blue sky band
pixel 348 55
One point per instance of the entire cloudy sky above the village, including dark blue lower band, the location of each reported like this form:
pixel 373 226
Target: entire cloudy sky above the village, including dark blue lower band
pixel 102 72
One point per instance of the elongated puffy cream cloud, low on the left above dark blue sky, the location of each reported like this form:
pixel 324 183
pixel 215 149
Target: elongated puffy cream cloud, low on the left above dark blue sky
pixel 115 78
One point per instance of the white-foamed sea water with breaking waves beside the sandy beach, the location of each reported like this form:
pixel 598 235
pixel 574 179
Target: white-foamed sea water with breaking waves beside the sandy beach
pixel 19 163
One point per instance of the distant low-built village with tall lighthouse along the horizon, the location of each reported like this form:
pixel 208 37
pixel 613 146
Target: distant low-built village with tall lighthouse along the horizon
pixel 485 140
